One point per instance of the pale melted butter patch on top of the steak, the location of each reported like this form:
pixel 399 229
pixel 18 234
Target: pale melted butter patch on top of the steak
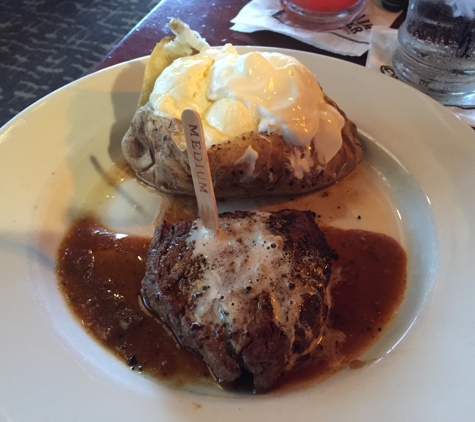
pixel 246 259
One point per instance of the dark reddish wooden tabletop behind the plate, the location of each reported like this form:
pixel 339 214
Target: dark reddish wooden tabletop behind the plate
pixel 211 18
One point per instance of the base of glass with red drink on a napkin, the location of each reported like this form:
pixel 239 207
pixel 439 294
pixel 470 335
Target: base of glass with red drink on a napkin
pixel 323 15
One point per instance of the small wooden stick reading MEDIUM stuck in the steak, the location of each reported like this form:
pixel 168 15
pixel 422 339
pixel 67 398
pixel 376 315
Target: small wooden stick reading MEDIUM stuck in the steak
pixel 199 164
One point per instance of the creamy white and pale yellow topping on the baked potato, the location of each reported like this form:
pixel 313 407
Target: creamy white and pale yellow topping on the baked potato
pixel 258 91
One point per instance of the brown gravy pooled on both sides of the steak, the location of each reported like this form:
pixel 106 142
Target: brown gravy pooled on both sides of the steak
pixel 100 273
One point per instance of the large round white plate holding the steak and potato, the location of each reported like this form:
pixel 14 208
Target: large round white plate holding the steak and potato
pixel 50 370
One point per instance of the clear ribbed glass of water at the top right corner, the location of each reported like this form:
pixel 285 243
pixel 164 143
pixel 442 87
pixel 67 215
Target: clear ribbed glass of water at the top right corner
pixel 436 51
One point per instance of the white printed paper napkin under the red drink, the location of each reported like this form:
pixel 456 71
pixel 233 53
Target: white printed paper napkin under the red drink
pixel 351 40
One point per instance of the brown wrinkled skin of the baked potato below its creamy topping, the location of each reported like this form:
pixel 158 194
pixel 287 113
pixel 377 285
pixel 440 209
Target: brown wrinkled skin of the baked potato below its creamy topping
pixel 150 148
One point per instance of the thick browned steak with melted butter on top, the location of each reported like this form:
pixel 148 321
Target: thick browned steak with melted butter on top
pixel 252 298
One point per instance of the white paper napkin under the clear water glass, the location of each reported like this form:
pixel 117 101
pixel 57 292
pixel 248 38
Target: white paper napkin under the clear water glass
pixel 383 44
